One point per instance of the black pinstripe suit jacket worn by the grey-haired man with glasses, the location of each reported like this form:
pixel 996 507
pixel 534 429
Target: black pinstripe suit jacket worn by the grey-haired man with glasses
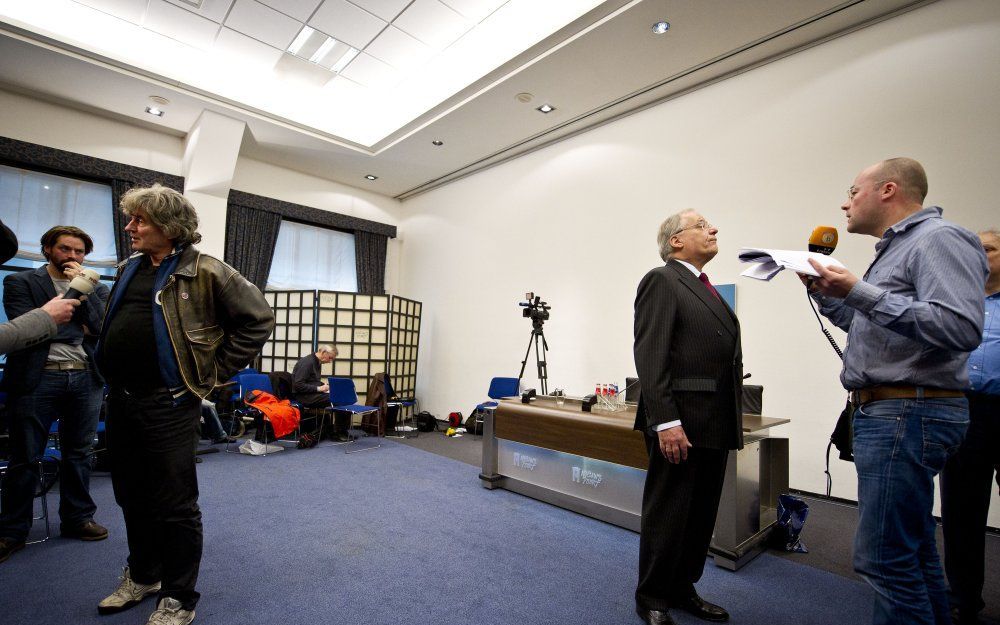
pixel 689 359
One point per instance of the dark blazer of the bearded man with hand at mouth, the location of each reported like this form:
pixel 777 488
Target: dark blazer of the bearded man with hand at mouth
pixel 27 290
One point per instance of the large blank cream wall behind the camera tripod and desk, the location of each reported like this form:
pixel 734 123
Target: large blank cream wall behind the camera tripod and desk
pixel 766 156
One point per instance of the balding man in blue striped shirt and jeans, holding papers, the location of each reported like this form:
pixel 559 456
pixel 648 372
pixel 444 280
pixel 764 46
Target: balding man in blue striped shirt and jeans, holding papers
pixel 911 321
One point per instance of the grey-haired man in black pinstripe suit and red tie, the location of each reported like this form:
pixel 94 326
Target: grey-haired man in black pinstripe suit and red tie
pixel 689 361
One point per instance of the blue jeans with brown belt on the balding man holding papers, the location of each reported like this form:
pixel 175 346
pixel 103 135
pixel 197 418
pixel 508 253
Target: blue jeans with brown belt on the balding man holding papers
pixel 899 446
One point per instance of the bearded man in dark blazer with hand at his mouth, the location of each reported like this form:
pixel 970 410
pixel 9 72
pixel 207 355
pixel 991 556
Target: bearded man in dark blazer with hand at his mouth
pixel 54 379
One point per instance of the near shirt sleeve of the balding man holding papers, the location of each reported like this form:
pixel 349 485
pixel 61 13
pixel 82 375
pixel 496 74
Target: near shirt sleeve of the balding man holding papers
pixel 943 306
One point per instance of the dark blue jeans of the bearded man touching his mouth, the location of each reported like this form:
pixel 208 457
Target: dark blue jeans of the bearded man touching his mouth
pixel 74 399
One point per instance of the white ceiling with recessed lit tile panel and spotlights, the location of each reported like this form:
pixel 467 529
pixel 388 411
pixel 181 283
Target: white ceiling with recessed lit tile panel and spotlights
pixel 592 65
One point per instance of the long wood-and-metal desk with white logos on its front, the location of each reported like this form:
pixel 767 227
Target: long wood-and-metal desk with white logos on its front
pixel 595 464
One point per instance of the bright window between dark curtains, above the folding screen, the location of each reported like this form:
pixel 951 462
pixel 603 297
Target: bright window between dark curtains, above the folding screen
pixel 310 257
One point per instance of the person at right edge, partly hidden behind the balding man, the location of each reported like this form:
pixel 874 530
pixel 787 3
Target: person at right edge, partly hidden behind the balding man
pixel 967 479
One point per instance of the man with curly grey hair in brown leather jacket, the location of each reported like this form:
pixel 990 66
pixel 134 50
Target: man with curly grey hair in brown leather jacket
pixel 179 322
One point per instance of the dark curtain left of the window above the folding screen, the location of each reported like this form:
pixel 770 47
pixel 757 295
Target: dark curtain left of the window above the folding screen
pixel 251 235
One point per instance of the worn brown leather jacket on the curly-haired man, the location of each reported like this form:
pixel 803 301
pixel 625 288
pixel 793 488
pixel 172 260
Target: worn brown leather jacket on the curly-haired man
pixel 210 322
